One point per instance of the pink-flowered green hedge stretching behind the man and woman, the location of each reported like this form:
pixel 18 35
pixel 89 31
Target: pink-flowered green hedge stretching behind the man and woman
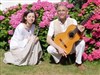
pixel 46 12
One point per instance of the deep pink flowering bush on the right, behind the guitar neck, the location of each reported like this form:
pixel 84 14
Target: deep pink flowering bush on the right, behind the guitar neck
pixel 92 32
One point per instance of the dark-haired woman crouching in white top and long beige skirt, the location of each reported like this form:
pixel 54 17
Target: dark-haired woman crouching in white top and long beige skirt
pixel 25 48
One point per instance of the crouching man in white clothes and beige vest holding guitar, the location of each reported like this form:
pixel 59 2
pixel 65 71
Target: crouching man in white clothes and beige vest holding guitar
pixel 60 25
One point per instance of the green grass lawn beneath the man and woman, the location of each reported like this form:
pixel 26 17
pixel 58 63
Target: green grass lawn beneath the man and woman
pixel 45 68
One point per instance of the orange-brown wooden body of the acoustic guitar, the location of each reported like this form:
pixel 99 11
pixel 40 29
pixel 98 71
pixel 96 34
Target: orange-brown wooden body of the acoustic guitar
pixel 65 41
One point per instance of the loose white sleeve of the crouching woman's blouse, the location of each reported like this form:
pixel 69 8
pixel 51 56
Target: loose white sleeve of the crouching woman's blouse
pixel 18 40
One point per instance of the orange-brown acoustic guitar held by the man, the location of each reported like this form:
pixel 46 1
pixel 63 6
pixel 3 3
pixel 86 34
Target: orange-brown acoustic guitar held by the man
pixel 67 39
